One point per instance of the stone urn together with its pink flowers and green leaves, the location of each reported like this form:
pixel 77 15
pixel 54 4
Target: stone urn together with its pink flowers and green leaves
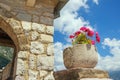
pixel 83 53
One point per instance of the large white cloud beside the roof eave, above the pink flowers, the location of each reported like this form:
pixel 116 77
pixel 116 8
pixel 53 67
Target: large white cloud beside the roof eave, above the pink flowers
pixel 69 21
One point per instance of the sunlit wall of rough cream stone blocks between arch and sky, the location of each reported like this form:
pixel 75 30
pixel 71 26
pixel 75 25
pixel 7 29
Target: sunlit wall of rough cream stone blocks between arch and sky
pixel 40 55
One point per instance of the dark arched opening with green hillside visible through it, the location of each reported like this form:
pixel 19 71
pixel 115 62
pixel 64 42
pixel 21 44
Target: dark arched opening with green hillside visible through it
pixel 7 51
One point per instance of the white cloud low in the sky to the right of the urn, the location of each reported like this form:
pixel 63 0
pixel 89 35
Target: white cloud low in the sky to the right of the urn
pixel 110 62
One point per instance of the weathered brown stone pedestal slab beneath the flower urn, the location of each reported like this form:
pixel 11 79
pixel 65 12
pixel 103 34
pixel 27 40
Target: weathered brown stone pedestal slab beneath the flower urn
pixel 81 74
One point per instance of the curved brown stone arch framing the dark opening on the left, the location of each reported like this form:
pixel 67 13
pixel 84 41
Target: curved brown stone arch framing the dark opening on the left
pixel 15 31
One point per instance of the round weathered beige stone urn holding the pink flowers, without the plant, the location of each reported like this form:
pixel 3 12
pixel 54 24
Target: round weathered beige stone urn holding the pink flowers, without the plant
pixel 80 56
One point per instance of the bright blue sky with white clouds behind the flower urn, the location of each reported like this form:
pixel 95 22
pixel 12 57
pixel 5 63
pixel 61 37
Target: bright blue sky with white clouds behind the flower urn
pixel 102 16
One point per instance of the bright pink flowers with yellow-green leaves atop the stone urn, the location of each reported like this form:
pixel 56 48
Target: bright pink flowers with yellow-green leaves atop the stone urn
pixel 85 36
